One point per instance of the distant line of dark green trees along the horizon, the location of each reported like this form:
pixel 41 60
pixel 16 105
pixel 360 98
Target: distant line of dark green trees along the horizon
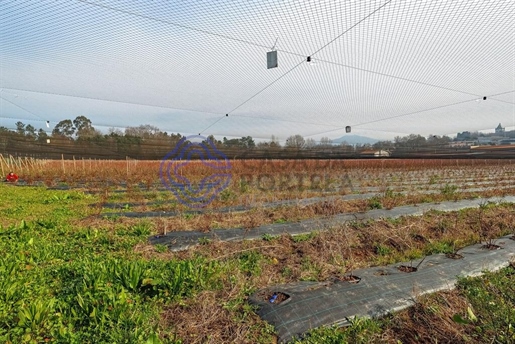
pixel 78 138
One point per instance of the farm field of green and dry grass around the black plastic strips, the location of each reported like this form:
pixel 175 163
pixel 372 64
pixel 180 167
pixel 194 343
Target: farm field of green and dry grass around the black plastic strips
pixel 77 266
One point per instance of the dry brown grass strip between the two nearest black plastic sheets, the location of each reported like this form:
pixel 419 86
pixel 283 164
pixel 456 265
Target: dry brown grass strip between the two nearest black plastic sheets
pixel 359 245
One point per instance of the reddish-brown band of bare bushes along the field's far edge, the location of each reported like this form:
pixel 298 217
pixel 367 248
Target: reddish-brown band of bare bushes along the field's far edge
pixel 147 172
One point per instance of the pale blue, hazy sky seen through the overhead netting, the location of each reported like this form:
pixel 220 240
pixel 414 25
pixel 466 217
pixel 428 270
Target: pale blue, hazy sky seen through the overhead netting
pixel 386 68
